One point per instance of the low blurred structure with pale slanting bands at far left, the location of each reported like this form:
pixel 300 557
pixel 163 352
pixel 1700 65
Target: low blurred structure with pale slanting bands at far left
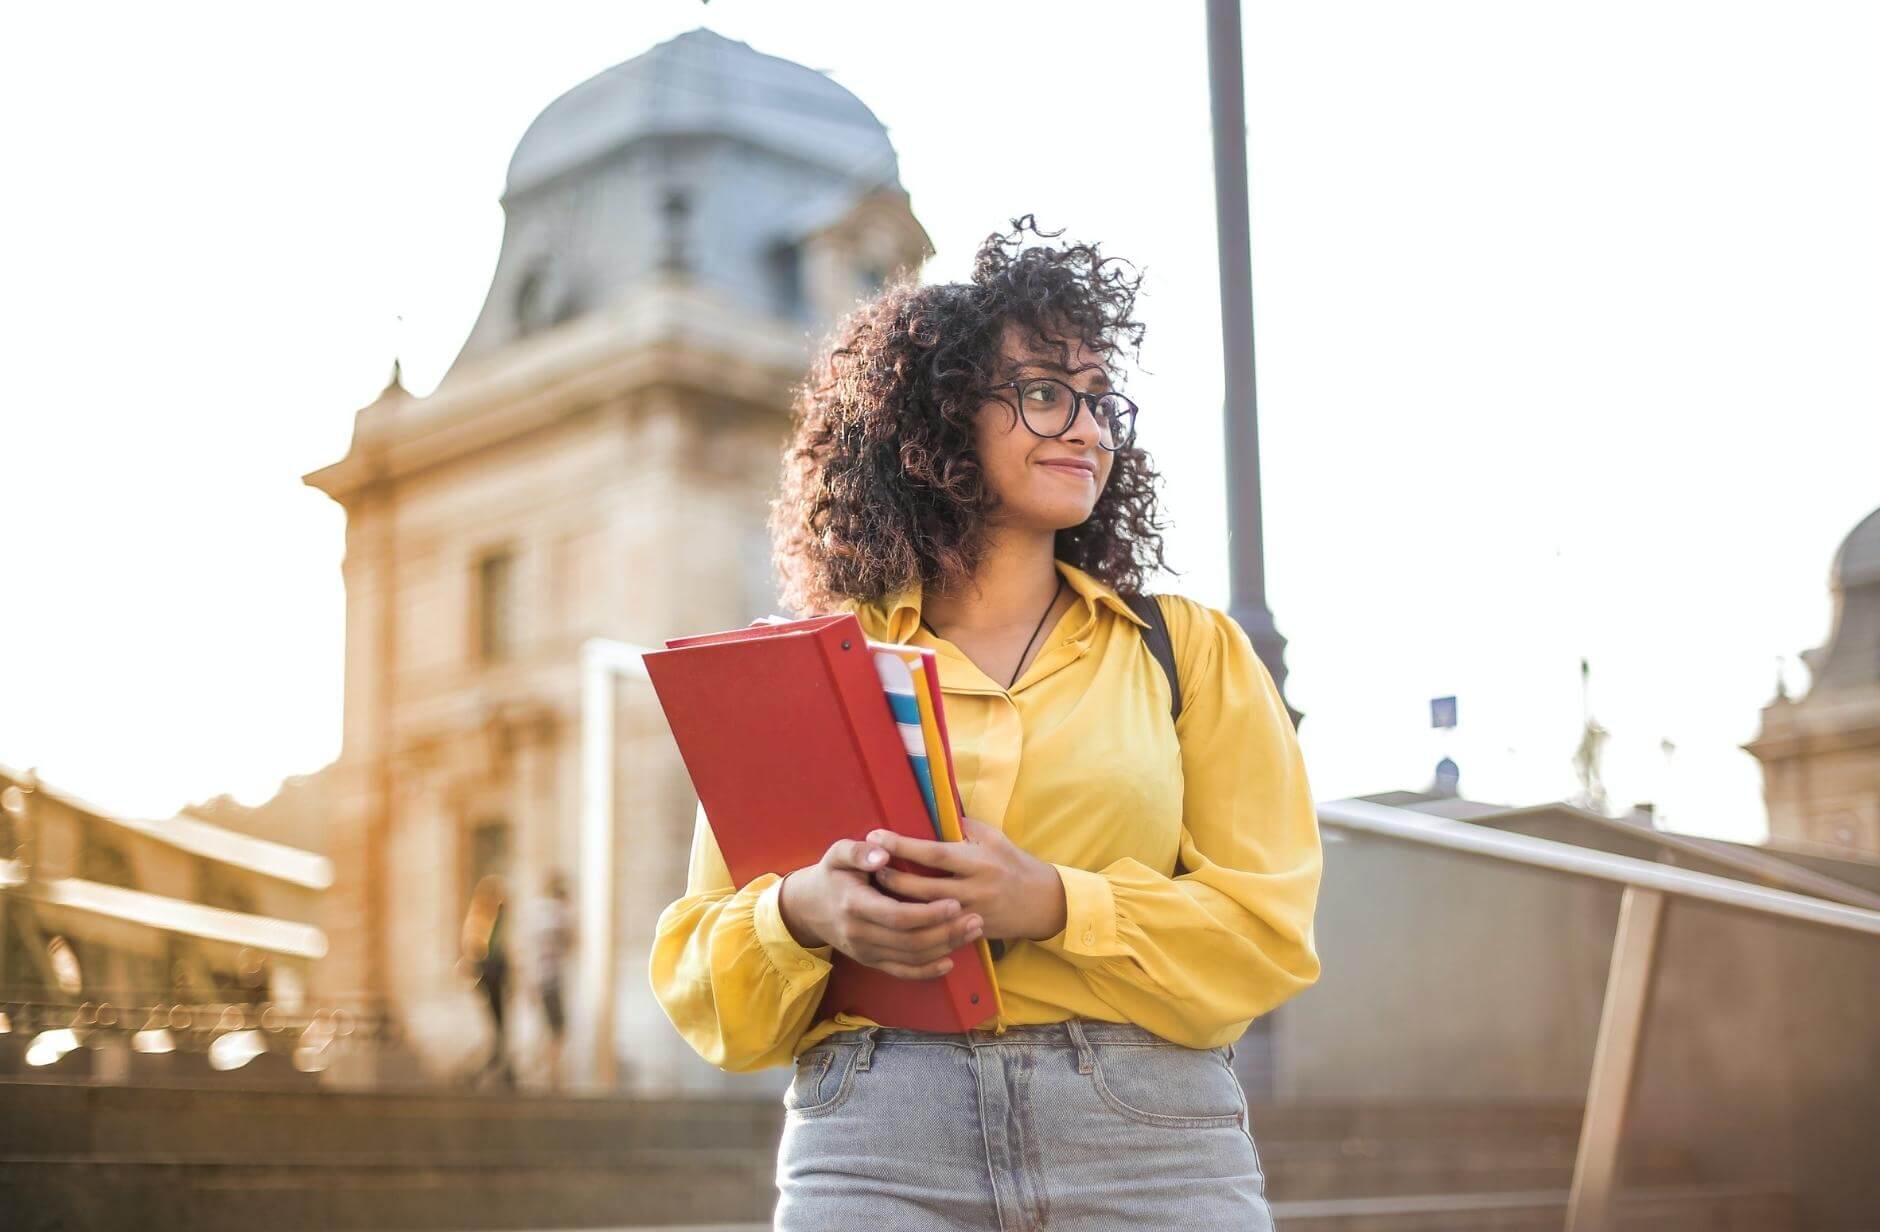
pixel 129 917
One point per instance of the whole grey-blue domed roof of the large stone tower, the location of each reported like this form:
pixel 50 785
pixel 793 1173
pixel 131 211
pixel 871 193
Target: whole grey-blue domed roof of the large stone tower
pixel 706 165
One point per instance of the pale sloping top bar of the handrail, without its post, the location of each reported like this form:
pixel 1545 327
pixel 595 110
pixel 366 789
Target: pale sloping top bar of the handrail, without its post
pixel 1475 840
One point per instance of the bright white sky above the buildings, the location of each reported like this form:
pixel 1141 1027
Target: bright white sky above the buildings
pixel 1565 326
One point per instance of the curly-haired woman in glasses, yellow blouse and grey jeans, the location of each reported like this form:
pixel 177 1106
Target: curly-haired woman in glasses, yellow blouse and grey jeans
pixel 958 481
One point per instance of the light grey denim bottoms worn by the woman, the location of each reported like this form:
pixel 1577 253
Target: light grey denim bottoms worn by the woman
pixel 1067 1128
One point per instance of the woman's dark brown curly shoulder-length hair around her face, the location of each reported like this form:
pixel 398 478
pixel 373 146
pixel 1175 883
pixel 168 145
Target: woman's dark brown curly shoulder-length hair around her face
pixel 883 484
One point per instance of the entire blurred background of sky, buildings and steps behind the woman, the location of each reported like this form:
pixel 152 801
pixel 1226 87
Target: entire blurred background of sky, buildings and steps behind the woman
pixel 381 377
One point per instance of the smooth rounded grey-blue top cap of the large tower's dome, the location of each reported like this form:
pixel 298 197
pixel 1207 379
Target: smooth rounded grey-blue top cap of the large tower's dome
pixel 704 84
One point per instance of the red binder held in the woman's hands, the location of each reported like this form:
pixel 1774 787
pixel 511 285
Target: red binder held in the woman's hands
pixel 791 746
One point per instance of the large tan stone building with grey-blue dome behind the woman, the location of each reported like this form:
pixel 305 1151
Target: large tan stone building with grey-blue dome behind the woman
pixel 597 464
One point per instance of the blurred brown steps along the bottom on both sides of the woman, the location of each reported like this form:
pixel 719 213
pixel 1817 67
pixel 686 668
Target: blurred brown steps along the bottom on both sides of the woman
pixel 78 1158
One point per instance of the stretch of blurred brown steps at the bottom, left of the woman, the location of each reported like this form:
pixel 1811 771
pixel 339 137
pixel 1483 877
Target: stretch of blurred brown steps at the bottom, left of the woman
pixel 106 1158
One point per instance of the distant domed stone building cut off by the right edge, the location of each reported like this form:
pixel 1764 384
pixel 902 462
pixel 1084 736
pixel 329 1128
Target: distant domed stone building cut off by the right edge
pixel 1821 753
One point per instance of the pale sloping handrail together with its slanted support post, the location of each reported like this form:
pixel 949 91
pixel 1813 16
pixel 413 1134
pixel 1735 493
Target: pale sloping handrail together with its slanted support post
pixel 1635 958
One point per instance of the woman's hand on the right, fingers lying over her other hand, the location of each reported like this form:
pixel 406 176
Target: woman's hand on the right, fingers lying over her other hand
pixel 1014 892
